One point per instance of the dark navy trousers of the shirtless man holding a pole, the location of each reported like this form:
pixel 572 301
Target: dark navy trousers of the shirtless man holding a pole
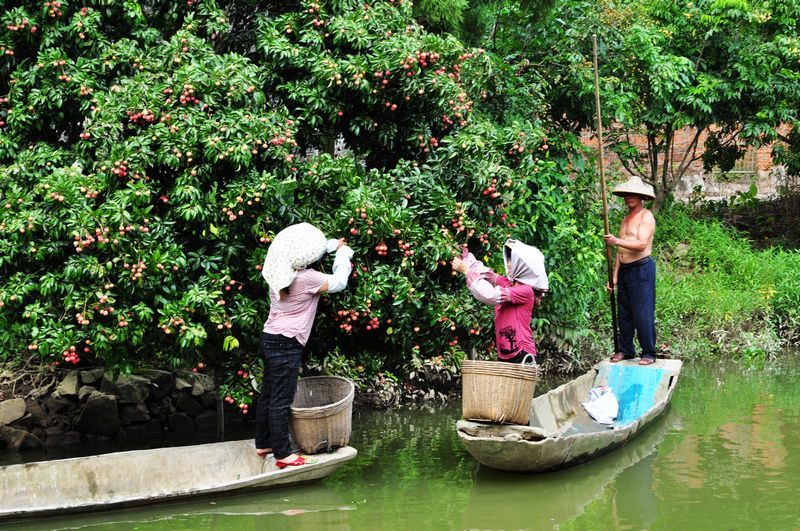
pixel 636 297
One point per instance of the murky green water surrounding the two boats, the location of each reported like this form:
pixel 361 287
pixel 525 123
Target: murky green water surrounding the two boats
pixel 726 455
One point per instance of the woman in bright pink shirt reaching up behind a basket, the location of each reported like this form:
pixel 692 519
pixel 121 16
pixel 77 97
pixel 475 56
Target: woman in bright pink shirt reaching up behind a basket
pixel 513 296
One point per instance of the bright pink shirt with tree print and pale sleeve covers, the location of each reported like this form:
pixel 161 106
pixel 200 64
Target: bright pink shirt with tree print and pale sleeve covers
pixel 513 309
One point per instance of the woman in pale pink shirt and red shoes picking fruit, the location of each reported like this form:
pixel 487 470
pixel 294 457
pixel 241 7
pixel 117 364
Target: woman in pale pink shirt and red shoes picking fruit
pixel 294 292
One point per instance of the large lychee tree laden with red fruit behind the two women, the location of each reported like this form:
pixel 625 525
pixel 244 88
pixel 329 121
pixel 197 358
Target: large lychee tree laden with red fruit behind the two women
pixel 145 170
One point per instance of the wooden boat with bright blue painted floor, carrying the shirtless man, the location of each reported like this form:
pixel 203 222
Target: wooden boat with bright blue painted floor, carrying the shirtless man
pixel 561 434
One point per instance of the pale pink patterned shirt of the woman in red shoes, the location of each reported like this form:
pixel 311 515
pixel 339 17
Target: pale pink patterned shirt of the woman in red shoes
pixel 294 315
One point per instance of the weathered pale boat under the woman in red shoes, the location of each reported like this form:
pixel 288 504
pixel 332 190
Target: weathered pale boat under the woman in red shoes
pixel 149 476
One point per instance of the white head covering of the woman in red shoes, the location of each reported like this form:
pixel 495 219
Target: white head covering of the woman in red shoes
pixel 294 248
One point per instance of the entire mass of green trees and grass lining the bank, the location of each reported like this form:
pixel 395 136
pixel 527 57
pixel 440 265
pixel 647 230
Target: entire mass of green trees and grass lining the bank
pixel 150 150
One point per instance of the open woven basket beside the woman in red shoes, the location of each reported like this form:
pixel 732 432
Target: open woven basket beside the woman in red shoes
pixel 321 415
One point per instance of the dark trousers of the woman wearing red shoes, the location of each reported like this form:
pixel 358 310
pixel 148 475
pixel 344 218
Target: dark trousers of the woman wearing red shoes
pixel 282 357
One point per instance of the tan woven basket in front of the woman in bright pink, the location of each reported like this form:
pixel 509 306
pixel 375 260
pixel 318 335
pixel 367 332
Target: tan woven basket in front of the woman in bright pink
pixel 497 391
